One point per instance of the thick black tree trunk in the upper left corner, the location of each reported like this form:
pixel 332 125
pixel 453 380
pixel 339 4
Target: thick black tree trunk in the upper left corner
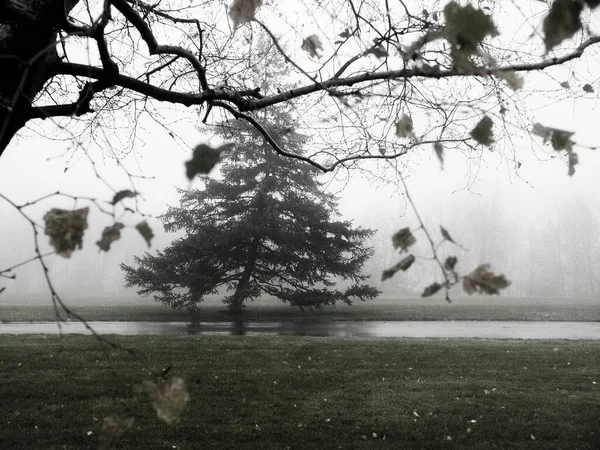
pixel 28 32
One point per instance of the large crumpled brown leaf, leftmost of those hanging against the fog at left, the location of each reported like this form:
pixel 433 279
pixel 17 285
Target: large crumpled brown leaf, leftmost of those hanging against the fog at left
pixel 66 229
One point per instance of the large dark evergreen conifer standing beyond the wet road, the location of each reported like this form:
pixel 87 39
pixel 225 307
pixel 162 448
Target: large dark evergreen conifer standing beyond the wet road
pixel 264 226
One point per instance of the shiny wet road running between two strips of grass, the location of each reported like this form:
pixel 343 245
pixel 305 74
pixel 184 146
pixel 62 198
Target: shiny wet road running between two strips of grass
pixel 417 329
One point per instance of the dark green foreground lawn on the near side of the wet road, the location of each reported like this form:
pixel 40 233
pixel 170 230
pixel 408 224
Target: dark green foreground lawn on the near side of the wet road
pixel 305 393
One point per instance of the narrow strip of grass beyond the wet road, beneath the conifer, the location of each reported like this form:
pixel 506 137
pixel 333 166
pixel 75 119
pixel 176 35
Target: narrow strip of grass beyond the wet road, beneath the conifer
pixel 471 308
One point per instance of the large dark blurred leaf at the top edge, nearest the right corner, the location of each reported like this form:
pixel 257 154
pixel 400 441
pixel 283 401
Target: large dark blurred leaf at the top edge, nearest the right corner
pixel 562 22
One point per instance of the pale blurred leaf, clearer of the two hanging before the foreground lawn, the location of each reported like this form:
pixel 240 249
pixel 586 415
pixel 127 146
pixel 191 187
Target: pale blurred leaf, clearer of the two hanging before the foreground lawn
pixel 168 396
